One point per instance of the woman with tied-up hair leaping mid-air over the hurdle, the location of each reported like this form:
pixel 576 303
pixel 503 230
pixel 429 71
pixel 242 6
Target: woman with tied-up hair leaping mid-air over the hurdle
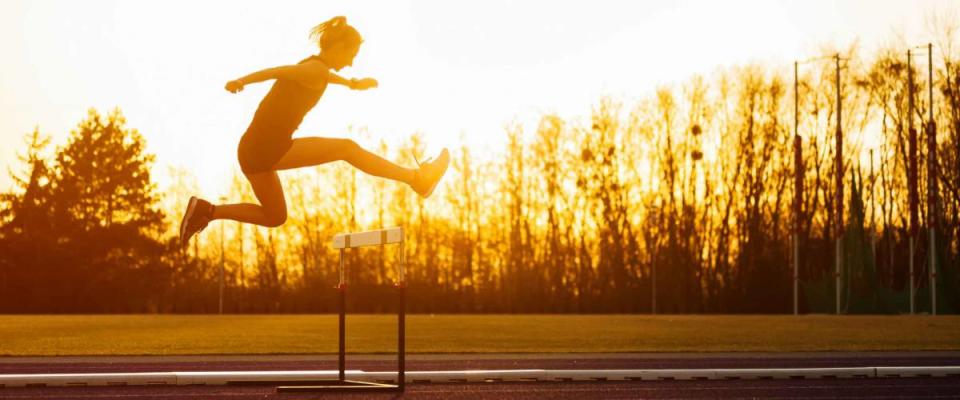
pixel 267 146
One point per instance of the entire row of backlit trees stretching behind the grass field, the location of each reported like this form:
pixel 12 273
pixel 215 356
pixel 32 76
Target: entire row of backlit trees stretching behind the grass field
pixel 679 202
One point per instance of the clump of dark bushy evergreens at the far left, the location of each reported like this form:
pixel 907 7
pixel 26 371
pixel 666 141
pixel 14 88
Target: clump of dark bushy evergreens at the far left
pixel 83 233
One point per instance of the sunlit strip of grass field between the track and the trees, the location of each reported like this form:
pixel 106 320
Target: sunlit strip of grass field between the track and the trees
pixel 48 335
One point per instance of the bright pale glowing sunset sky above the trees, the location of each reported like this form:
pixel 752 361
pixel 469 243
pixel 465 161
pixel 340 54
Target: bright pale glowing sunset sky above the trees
pixel 450 69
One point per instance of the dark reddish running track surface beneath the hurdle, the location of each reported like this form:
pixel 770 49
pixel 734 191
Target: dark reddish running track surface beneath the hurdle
pixel 795 388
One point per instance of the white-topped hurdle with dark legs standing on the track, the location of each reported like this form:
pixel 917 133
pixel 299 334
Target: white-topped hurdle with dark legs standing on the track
pixel 344 241
